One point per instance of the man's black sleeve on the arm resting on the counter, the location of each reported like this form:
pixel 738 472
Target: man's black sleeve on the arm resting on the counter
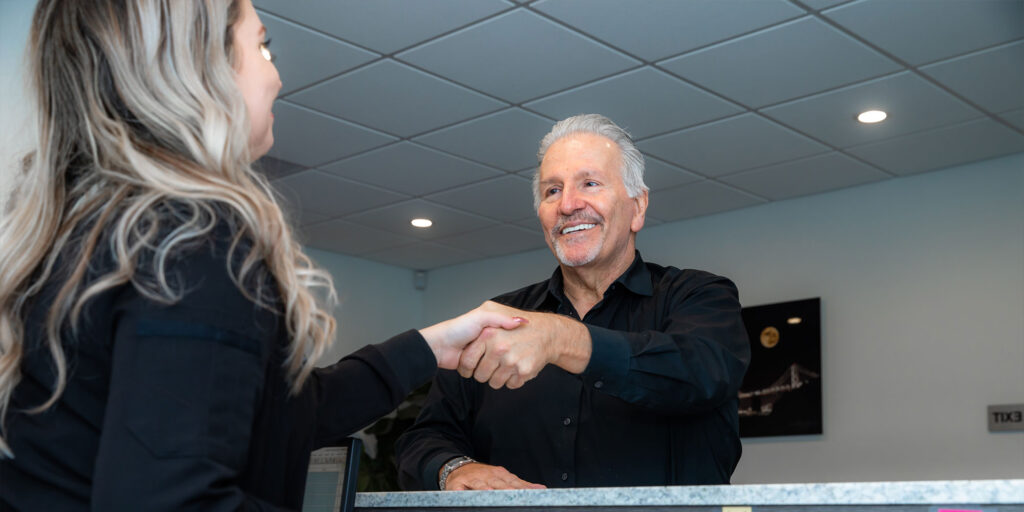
pixel 441 433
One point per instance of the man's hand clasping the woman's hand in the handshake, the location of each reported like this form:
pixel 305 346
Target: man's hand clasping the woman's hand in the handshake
pixel 511 358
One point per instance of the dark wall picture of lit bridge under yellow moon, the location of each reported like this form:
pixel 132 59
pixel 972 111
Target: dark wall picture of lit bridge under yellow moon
pixel 782 393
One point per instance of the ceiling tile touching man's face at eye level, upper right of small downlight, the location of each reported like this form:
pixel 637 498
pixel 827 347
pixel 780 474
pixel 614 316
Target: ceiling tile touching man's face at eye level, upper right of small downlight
pixel 505 199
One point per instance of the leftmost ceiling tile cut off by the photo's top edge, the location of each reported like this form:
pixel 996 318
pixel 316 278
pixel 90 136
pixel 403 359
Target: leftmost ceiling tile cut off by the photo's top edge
pixel 385 26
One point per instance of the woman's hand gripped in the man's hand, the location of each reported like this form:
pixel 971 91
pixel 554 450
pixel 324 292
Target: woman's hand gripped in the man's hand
pixel 450 337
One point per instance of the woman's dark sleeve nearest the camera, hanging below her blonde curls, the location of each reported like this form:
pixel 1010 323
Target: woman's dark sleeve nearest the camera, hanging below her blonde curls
pixel 185 387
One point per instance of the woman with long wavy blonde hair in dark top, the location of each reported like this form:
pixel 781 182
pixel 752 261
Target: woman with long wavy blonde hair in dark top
pixel 158 322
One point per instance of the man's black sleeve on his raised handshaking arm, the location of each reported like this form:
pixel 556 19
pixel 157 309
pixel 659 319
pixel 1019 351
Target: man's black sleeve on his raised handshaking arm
pixel 694 363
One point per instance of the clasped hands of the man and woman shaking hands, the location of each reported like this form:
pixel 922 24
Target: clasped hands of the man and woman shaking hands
pixel 506 348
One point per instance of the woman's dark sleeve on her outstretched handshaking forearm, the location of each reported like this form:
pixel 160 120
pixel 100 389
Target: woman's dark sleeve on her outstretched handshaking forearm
pixel 369 385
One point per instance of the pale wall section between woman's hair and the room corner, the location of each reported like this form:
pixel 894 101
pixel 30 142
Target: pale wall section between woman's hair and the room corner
pixel 377 302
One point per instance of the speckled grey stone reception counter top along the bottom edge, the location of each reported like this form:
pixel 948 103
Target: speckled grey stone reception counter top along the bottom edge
pixel 989 496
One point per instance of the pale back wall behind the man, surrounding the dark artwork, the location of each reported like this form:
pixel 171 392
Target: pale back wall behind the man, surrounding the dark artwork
pixel 922 286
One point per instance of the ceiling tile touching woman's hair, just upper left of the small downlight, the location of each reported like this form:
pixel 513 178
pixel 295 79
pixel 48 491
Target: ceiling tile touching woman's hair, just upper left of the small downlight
pixel 329 195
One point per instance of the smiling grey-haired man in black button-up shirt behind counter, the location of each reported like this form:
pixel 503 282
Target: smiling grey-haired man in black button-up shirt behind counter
pixel 627 373
